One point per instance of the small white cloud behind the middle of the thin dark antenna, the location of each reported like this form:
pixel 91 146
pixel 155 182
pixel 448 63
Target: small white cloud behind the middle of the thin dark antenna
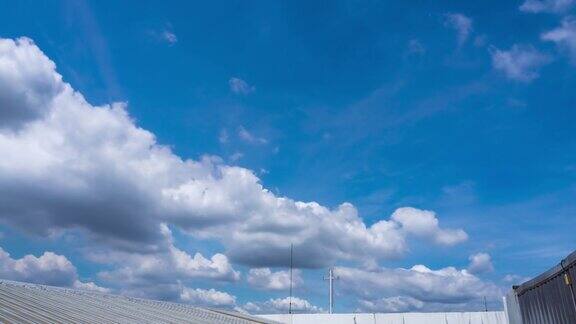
pixel 264 278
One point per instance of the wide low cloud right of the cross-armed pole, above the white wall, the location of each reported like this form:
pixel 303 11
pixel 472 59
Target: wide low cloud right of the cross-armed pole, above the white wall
pixel 417 288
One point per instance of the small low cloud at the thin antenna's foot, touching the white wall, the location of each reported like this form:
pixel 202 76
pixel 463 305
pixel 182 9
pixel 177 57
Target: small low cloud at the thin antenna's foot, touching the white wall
pixel 282 305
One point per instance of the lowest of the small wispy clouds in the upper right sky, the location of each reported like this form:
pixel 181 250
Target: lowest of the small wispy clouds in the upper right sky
pixel 520 63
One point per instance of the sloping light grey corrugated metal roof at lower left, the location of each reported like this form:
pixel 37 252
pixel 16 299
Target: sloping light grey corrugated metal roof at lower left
pixel 30 303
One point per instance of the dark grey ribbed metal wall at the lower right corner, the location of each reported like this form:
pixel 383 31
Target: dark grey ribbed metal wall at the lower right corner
pixel 547 299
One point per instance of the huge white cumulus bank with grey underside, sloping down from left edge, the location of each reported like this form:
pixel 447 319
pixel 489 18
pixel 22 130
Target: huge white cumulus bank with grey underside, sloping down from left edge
pixel 91 169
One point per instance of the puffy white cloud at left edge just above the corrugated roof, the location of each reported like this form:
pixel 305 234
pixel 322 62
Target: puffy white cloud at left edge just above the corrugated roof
pixel 48 269
